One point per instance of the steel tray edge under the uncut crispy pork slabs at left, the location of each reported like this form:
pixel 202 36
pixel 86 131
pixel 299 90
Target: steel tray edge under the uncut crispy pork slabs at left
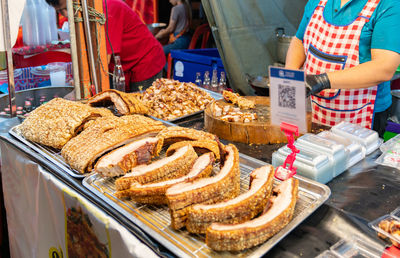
pixel 53 155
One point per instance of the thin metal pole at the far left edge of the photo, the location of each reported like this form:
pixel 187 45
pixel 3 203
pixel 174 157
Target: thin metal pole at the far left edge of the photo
pixel 10 66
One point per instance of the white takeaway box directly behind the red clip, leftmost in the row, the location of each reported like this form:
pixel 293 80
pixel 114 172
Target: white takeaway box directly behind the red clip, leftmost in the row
pixel 309 164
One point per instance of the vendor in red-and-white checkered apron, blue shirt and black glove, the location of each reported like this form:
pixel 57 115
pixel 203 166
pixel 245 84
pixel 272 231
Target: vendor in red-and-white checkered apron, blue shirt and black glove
pixel 349 50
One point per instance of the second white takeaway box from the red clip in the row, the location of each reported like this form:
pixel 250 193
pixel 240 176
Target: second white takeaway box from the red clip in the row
pixel 335 152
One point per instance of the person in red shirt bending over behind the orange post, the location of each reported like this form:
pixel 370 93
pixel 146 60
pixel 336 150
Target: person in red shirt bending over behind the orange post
pixel 142 56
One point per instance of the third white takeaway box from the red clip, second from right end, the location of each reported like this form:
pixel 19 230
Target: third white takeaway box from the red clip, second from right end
pixel 354 151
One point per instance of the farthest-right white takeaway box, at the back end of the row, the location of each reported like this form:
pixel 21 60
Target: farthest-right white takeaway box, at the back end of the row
pixel 368 138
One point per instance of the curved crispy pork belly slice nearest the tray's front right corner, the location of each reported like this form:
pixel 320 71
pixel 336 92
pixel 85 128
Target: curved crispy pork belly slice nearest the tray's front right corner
pixel 228 237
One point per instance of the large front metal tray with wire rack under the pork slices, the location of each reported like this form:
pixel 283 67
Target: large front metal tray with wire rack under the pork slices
pixel 155 220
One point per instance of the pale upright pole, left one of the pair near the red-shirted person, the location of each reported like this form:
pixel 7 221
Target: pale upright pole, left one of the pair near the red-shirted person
pixel 74 50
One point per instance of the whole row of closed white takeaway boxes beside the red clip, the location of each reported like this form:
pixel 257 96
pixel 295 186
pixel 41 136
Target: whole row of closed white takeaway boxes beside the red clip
pixel 328 154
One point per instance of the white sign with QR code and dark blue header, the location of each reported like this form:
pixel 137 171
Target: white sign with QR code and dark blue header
pixel 288 97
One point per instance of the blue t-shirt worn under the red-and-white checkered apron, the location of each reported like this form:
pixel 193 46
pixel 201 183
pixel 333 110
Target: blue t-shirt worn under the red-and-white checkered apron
pixel 381 32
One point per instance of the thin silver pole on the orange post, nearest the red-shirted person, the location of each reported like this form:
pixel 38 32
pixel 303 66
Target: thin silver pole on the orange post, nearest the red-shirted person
pixel 89 44
